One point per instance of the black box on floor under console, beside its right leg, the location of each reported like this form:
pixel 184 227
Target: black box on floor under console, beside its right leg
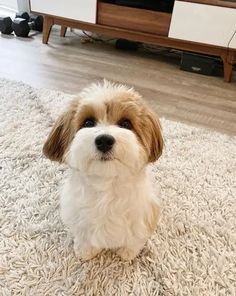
pixel 201 64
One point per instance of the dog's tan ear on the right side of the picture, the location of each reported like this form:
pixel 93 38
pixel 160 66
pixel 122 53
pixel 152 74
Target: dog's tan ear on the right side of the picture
pixel 153 136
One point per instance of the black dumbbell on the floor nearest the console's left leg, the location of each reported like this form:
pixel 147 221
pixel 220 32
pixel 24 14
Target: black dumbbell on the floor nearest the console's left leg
pixel 22 27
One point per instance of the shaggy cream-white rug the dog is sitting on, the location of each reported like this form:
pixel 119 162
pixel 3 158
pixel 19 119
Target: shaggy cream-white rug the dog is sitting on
pixel 192 253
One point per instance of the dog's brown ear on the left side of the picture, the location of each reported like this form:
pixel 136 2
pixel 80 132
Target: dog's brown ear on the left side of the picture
pixel 61 134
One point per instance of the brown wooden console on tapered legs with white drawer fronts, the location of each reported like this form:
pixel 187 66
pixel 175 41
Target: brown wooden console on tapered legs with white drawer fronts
pixel 164 29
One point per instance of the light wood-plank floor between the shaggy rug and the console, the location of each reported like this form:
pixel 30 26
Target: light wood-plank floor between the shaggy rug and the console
pixel 67 65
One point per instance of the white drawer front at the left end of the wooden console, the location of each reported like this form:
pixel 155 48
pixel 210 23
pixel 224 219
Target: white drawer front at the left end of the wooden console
pixel 81 10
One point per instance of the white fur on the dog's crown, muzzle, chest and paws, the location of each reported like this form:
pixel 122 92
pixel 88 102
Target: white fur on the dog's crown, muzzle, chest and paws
pixel 106 204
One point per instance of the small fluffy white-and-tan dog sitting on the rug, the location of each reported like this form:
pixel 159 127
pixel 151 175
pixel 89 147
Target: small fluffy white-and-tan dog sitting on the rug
pixel 107 136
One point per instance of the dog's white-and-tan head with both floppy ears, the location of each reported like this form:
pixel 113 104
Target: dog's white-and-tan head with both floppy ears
pixel 107 131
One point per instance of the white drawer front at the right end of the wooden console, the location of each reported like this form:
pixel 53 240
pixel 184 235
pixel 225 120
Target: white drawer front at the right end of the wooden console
pixel 202 23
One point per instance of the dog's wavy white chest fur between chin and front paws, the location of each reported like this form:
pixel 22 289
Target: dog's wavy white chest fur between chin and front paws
pixel 106 213
